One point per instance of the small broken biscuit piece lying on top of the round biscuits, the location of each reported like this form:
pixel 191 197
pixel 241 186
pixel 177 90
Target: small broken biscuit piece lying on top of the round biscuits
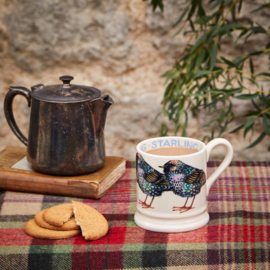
pixel 59 214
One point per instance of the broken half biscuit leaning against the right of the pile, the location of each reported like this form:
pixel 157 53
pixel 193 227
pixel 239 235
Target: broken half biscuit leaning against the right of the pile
pixel 93 224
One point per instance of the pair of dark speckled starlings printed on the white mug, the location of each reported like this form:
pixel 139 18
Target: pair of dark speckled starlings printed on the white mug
pixel 183 180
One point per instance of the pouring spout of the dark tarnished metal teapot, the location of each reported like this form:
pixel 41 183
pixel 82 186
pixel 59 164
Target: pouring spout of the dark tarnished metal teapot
pixel 99 108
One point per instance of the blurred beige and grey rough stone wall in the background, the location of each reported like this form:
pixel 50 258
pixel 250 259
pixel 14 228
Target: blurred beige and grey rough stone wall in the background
pixel 118 46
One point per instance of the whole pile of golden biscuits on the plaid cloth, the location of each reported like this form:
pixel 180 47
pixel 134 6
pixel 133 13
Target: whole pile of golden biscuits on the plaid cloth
pixel 68 220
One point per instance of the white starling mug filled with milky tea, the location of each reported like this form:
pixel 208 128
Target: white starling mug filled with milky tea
pixel 172 183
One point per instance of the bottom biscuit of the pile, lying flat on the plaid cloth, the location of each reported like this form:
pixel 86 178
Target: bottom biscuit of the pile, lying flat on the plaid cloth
pixel 31 228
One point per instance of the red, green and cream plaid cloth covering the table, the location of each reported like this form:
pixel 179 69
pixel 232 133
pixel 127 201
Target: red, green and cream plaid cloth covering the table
pixel 237 236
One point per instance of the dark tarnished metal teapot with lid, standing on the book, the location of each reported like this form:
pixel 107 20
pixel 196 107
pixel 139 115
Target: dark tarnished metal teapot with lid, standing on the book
pixel 66 130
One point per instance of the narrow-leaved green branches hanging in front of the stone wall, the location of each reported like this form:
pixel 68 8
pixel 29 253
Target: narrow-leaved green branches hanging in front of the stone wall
pixel 202 78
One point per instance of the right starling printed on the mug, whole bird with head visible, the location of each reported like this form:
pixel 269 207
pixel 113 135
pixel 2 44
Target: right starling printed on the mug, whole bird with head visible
pixel 184 180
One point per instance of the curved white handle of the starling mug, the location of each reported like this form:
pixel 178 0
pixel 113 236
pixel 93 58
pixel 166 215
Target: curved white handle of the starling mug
pixel 225 163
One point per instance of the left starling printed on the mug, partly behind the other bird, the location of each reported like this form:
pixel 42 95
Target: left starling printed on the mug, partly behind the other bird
pixel 151 182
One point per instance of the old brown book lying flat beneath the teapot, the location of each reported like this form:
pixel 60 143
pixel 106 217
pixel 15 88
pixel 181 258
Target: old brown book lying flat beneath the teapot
pixel 93 185
